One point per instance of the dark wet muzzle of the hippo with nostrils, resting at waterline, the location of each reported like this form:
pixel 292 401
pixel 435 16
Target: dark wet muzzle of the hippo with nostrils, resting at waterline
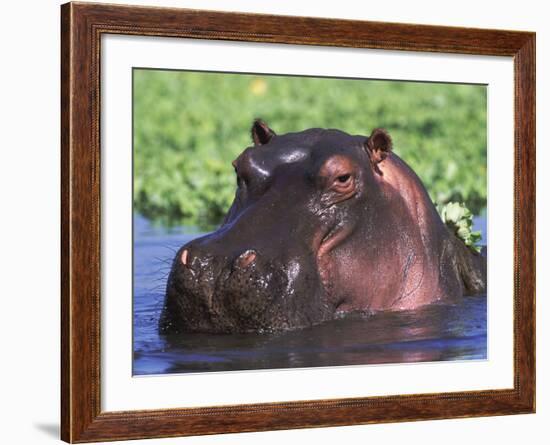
pixel 244 292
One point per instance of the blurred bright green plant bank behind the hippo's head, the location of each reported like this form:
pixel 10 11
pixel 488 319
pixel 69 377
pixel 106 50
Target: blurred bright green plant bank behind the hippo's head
pixel 188 127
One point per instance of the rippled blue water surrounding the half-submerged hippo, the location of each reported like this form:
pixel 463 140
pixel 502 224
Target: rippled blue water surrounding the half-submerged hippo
pixel 433 333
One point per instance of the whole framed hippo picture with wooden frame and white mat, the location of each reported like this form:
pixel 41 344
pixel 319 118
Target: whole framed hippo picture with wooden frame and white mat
pixel 274 222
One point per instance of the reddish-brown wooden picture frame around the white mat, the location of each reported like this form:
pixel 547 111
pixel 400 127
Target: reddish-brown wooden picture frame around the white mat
pixel 82 25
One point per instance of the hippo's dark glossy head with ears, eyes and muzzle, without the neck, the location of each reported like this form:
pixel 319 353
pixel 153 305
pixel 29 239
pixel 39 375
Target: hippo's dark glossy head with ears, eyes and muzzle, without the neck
pixel 298 196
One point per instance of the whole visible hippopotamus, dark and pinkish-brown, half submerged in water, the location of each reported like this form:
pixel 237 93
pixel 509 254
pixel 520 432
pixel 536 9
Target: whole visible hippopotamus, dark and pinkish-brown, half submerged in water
pixel 323 224
